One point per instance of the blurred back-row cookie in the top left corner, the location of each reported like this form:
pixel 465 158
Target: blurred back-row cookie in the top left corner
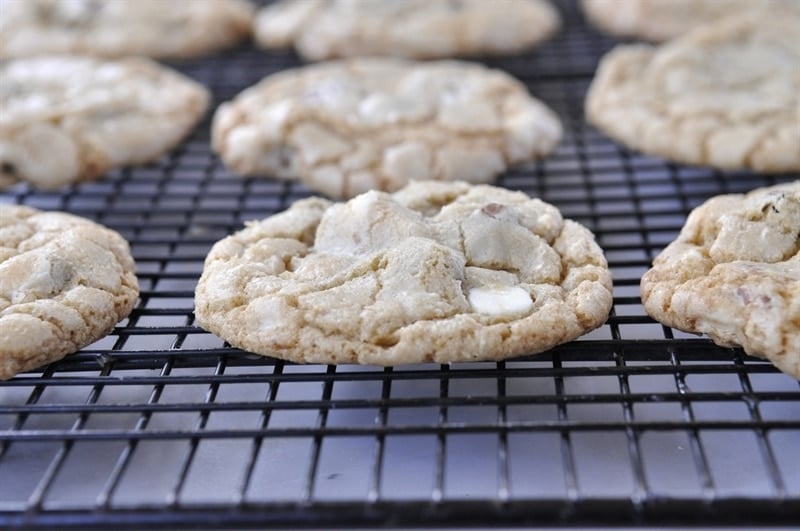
pixel 117 28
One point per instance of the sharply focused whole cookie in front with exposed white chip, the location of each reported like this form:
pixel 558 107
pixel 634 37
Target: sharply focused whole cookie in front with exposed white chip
pixel 436 272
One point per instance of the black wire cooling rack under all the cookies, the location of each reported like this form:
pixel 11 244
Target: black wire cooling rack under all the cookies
pixel 161 423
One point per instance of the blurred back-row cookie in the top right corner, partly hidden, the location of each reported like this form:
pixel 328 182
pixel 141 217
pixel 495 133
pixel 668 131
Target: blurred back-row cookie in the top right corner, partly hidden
pixel 660 20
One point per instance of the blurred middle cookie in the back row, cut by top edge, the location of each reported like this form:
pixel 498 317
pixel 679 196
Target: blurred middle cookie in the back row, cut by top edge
pixel 418 29
